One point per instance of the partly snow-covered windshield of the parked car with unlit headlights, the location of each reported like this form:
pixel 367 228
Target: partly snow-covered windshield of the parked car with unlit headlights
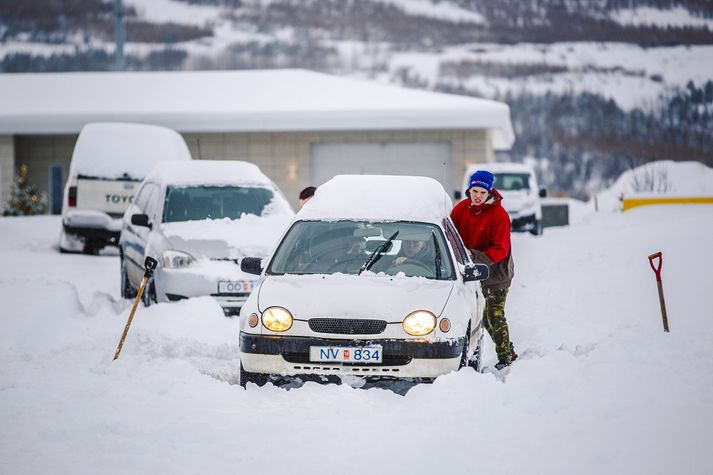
pixel 189 203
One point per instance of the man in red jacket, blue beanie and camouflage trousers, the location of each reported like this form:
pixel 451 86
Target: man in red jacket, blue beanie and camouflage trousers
pixel 484 226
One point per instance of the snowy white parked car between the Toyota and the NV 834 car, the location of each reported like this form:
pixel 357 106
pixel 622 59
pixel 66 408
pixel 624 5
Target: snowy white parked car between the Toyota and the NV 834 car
pixel 198 219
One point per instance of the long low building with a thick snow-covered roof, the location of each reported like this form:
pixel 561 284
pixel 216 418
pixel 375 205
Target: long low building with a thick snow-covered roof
pixel 300 127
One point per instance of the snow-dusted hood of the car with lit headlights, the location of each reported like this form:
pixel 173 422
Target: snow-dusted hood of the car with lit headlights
pixel 350 296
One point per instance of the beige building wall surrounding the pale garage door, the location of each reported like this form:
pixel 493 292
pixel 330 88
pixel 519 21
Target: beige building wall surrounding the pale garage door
pixel 285 157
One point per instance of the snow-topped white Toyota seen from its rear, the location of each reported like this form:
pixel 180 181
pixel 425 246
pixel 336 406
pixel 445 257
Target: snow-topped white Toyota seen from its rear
pixel 108 164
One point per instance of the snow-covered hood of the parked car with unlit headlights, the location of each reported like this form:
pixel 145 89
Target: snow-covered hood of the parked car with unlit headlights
pixel 226 238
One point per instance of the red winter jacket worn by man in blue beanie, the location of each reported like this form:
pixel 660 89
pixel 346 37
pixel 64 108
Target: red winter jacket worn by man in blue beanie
pixel 485 230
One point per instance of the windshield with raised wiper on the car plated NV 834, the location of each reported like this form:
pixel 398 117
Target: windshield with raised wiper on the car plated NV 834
pixel 355 247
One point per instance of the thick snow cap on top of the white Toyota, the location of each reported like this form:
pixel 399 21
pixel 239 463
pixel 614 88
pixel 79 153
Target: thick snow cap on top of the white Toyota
pixel 113 149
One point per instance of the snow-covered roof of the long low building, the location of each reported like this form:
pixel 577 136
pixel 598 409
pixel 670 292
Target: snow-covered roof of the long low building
pixel 237 101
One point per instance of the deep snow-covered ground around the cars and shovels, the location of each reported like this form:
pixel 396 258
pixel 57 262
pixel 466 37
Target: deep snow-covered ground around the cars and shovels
pixel 599 387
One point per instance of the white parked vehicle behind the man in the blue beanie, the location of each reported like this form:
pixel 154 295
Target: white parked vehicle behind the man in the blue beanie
pixel 521 194
